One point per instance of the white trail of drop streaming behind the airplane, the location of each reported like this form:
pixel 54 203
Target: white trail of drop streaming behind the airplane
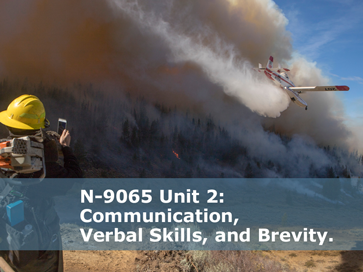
pixel 218 59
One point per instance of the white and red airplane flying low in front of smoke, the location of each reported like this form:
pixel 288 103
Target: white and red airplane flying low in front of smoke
pixel 281 79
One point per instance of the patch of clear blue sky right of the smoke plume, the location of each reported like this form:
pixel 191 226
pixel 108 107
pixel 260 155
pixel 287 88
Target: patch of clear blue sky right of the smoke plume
pixel 330 33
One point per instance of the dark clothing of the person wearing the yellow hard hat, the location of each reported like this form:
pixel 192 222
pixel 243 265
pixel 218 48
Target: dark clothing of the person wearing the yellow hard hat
pixel 40 199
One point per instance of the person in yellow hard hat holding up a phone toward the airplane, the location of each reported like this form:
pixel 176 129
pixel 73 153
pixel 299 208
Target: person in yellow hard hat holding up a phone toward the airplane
pixel 25 116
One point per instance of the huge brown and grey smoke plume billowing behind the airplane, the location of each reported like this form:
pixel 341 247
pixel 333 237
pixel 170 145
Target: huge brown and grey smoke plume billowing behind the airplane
pixel 197 55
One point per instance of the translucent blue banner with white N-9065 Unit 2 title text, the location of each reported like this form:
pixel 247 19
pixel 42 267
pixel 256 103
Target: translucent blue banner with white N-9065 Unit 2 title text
pixel 265 214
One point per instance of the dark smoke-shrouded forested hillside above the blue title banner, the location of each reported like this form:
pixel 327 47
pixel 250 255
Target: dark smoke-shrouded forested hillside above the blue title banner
pixel 115 135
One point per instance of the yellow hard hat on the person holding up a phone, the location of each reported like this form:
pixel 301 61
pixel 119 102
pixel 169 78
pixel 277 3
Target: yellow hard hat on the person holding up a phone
pixel 25 112
